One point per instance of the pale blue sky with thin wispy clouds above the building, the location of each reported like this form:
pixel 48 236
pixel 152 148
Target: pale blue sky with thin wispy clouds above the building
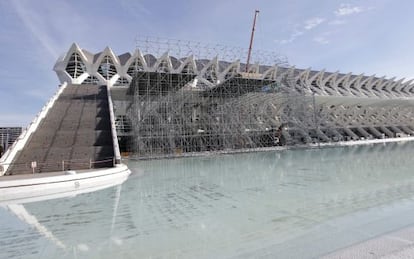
pixel 370 37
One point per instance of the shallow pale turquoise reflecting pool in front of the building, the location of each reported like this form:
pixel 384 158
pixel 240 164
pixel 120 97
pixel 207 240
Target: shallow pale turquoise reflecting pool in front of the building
pixel 292 203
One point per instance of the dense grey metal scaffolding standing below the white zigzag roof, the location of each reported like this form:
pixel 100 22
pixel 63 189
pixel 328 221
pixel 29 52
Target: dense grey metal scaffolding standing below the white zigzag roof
pixel 171 116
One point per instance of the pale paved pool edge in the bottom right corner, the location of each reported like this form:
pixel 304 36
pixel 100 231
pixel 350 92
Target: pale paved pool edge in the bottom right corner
pixel 398 244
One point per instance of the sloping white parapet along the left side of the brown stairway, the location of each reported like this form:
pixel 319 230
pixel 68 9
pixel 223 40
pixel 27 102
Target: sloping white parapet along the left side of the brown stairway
pixel 21 141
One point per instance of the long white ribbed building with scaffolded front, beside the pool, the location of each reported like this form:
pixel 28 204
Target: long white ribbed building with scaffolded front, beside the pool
pixel 249 105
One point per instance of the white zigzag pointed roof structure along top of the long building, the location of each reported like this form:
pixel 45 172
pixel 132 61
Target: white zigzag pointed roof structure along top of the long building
pixel 79 66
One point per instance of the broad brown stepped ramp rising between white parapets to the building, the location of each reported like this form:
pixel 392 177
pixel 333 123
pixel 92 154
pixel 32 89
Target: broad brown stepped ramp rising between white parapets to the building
pixel 75 134
